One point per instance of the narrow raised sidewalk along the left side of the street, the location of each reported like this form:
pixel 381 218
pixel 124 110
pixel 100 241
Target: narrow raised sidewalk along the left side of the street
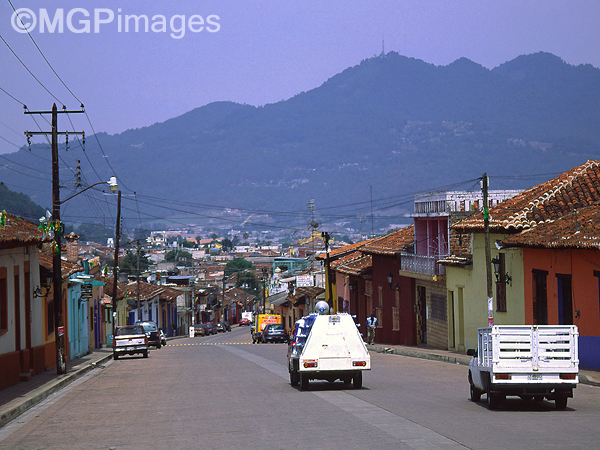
pixel 16 399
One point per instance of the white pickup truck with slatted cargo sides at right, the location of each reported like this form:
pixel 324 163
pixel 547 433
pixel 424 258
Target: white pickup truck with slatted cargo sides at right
pixel 529 361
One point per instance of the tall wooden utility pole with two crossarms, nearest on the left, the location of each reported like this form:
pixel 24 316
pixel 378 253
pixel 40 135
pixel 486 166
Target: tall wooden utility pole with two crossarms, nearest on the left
pixel 59 330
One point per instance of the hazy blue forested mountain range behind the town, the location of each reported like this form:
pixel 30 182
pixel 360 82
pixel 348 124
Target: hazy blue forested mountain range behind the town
pixel 388 127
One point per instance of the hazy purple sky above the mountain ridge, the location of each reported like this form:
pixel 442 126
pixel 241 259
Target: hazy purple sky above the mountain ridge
pixel 259 51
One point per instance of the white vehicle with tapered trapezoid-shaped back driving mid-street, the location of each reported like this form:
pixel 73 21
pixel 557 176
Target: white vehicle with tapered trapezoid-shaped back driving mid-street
pixel 327 347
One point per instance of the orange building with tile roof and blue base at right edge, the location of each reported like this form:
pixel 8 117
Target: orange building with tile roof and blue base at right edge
pixel 561 265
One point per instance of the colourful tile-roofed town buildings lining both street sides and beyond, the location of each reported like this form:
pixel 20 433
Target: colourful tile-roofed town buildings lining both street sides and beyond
pixel 425 283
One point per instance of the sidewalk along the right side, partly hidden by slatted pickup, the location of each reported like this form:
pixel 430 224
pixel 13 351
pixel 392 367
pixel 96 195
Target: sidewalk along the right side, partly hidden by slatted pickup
pixel 590 377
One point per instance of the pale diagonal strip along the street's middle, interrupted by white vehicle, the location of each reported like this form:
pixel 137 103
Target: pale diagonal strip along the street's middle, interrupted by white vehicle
pixel 409 433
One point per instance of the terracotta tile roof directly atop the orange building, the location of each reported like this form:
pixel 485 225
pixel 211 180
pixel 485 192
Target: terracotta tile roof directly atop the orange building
pixel 580 229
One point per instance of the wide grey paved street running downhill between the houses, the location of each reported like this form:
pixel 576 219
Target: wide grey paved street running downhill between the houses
pixel 222 392
